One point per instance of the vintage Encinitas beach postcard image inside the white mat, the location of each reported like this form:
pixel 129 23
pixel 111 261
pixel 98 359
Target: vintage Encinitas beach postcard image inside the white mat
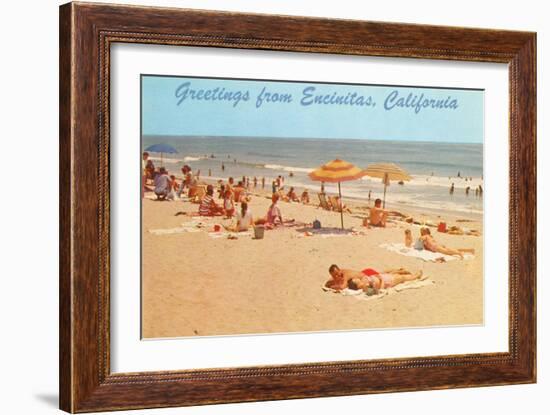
pixel 273 206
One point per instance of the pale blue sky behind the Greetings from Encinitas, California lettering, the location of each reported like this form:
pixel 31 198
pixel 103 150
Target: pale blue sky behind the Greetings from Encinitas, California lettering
pixel 167 110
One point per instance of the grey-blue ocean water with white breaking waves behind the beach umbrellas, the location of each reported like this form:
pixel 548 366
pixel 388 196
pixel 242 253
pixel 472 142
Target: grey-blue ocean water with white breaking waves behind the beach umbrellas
pixel 433 166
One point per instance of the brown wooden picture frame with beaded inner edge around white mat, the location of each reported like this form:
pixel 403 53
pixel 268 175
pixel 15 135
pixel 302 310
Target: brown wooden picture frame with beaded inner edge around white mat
pixel 86 33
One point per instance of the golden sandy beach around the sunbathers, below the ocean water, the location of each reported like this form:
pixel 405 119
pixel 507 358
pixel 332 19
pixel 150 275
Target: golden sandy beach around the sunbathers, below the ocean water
pixel 194 284
